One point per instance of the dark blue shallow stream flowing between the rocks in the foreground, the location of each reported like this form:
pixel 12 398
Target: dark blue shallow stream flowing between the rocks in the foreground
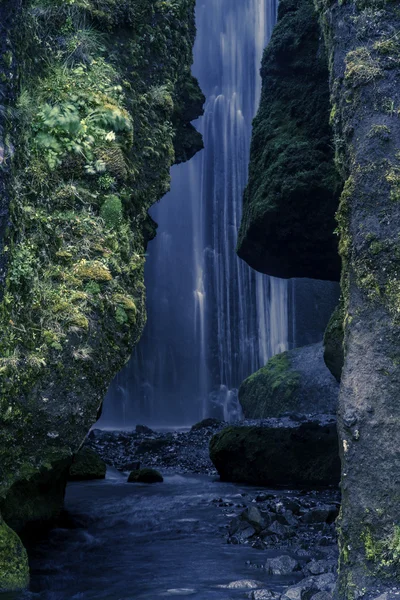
pixel 136 541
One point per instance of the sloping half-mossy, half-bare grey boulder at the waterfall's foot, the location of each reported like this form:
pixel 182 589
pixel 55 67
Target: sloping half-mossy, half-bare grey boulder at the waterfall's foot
pixel 297 381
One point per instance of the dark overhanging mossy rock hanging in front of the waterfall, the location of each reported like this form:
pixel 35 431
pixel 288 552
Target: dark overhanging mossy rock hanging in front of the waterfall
pixel 293 190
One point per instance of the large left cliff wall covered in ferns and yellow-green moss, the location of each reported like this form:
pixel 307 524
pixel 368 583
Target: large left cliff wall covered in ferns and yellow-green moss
pixel 104 112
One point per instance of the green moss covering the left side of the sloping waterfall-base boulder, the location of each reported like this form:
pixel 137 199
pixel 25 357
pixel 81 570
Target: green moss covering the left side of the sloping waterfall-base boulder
pixel 271 391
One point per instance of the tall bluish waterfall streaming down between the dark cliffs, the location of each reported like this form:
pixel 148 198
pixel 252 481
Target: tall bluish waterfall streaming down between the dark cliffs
pixel 212 320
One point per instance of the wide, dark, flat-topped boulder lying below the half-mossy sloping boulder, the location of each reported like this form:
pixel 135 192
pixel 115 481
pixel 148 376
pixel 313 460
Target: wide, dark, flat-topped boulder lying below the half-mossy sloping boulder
pixel 278 452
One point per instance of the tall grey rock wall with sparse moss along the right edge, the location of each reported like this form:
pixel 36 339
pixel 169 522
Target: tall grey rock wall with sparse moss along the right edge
pixel 364 54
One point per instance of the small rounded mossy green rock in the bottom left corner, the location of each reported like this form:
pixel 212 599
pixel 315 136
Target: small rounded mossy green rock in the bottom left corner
pixel 14 569
